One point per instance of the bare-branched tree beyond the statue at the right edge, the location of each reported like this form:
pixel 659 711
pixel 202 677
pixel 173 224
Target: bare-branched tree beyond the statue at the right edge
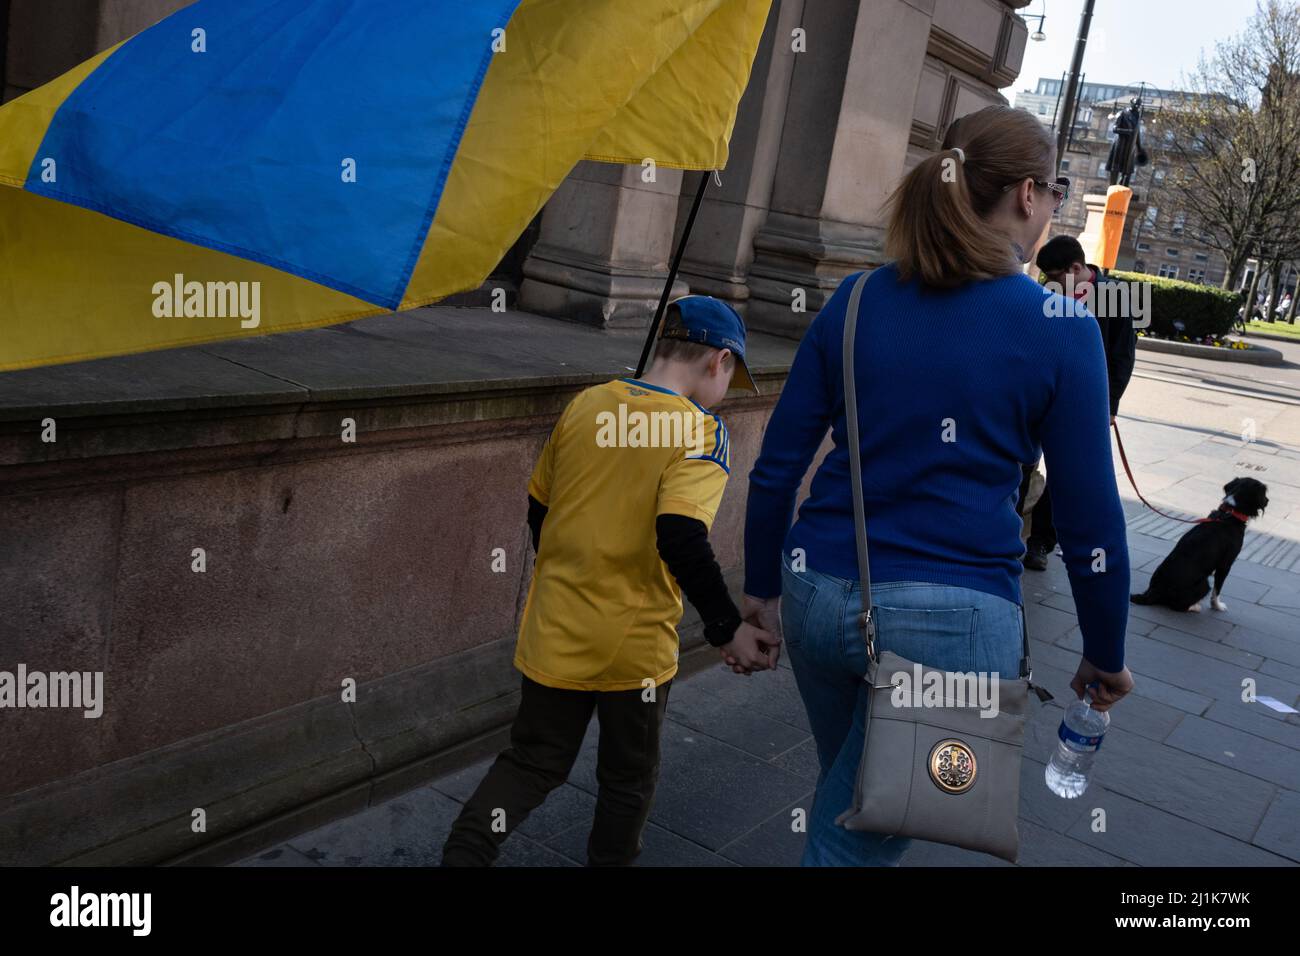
pixel 1237 142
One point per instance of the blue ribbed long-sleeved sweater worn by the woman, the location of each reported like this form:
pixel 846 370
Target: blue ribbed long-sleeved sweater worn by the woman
pixel 956 390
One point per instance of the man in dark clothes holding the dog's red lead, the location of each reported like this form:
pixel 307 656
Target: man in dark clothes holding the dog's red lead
pixel 1063 263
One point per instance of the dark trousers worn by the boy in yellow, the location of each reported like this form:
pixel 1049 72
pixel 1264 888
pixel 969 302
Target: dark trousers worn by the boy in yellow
pixel 544 743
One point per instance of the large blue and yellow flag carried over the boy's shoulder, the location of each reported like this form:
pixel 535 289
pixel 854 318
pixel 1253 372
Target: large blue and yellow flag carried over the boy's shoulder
pixel 348 157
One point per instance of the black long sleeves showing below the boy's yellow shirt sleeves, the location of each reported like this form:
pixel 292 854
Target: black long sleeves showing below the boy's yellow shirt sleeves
pixel 683 544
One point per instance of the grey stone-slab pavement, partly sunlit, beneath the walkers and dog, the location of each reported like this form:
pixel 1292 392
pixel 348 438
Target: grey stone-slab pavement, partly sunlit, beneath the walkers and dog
pixel 1191 775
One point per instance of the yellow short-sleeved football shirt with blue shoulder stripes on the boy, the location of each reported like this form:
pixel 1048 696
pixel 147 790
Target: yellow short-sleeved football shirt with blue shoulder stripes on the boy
pixel 603 609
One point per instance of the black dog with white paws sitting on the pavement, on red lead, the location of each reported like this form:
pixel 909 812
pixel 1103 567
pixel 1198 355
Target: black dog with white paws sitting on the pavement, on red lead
pixel 1182 579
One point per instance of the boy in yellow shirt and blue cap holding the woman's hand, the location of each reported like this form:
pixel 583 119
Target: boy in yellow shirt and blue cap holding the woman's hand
pixel 627 487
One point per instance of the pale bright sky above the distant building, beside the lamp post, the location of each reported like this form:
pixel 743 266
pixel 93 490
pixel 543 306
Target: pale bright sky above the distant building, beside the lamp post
pixel 1130 41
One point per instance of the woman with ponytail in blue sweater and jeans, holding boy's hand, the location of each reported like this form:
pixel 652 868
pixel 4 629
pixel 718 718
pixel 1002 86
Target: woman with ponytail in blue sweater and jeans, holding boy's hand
pixel 965 369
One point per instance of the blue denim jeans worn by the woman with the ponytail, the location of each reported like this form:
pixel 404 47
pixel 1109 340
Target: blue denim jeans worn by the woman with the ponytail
pixel 935 625
